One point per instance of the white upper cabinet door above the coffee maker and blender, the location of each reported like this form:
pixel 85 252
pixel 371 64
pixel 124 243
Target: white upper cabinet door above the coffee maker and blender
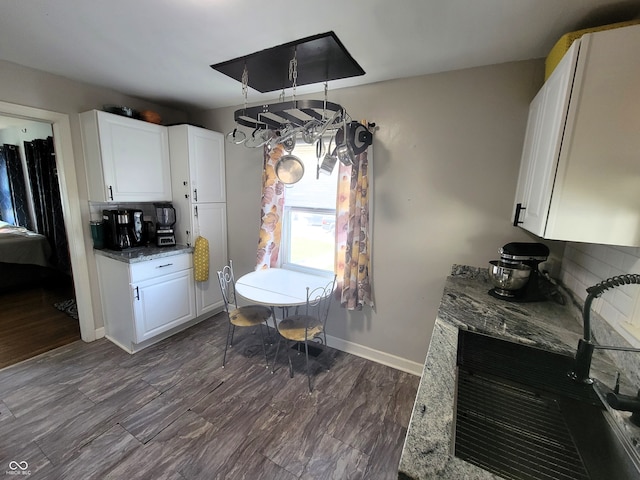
pixel 135 159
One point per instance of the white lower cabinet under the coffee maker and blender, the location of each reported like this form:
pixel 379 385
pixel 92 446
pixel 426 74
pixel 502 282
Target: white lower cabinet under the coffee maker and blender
pixel 147 301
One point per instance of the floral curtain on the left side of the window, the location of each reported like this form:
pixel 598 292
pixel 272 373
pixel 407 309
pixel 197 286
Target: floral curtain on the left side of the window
pixel 272 208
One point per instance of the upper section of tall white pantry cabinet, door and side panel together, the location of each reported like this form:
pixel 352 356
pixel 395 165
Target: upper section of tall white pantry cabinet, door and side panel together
pixel 197 162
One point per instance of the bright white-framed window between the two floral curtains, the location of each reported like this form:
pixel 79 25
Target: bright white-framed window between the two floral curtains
pixel 308 228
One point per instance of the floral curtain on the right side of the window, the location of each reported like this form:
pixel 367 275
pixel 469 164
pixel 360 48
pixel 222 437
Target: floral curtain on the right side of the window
pixel 352 235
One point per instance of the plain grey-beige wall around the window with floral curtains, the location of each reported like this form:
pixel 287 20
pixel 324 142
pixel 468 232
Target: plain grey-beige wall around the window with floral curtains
pixel 446 159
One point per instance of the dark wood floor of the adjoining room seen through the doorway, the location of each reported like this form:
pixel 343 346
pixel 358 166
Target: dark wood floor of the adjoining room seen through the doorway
pixel 31 325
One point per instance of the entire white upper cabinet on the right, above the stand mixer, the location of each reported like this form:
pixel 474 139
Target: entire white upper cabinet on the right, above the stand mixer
pixel 580 171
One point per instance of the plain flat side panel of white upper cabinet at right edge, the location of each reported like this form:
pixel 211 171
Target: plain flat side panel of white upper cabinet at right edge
pixel 596 199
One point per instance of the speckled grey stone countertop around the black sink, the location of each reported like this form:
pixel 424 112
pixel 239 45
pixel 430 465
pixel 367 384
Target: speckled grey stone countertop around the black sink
pixel 466 304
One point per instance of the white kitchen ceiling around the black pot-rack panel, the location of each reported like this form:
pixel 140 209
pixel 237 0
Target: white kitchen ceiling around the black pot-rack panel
pixel 162 50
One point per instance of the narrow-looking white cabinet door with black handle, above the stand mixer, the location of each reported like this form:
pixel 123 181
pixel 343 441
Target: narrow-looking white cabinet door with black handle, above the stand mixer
pixel 547 116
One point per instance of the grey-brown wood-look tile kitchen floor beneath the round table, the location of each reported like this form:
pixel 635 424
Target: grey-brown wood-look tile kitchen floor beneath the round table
pixel 92 411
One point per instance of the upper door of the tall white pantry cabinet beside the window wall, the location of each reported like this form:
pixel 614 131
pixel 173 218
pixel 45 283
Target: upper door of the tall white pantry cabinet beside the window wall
pixel 206 158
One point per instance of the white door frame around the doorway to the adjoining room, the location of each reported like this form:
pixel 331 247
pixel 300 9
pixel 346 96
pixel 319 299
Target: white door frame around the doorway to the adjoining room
pixel 70 206
